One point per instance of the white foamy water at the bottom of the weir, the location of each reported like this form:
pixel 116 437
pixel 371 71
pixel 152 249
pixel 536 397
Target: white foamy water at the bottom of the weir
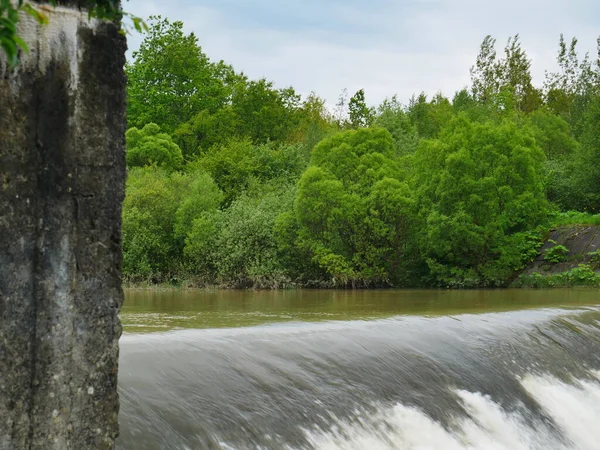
pixel 574 408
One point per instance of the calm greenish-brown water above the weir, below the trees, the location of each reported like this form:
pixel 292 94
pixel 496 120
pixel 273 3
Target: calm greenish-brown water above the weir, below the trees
pixel 148 311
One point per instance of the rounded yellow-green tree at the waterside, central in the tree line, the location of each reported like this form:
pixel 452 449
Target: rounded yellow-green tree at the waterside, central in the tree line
pixel 353 211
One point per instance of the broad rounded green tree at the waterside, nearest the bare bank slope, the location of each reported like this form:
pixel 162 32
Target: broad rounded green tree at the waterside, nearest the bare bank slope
pixel 480 191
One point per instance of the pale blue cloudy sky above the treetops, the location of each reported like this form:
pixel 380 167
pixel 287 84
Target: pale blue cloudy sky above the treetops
pixel 385 47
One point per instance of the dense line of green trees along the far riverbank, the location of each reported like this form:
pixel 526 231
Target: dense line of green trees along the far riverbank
pixel 234 182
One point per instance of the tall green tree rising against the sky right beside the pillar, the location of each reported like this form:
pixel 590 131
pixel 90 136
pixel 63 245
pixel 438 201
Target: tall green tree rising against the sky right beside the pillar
pixel 170 79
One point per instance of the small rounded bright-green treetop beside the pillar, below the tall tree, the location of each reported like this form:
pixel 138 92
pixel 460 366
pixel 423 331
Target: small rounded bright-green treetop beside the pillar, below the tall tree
pixel 149 146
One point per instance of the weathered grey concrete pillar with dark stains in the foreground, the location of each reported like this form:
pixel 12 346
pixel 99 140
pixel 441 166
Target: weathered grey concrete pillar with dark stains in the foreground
pixel 62 171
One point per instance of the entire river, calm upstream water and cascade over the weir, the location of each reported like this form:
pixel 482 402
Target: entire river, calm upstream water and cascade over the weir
pixel 513 369
